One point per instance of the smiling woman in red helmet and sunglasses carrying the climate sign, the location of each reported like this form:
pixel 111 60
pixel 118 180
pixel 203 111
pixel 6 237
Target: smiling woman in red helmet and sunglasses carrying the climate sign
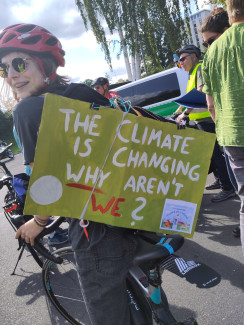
pixel 30 56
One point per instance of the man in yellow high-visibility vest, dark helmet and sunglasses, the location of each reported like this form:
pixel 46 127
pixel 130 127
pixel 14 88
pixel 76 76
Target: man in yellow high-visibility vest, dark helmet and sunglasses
pixel 190 61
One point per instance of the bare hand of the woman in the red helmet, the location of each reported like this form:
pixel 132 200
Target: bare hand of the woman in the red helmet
pixel 29 231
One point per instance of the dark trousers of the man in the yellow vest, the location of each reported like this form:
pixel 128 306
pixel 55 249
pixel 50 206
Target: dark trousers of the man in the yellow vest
pixel 218 164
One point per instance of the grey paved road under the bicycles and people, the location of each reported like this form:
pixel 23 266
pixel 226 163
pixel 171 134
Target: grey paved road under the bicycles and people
pixel 23 300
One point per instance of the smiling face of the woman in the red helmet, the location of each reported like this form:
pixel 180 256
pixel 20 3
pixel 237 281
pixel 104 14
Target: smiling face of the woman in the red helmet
pixel 27 82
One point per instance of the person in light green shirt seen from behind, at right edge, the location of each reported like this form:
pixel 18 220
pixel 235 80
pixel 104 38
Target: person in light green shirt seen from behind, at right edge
pixel 223 74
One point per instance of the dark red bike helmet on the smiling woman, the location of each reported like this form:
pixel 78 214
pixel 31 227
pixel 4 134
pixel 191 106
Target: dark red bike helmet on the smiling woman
pixel 31 38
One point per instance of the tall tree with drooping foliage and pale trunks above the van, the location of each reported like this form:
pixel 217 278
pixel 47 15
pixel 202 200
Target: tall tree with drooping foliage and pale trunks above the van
pixel 146 28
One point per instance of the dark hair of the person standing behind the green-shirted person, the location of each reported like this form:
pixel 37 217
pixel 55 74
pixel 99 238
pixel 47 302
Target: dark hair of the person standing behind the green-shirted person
pixel 216 22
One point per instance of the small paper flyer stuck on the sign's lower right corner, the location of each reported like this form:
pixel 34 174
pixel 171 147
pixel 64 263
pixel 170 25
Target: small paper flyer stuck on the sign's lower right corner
pixel 178 216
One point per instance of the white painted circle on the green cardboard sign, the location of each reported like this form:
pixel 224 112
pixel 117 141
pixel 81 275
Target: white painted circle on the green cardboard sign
pixel 46 190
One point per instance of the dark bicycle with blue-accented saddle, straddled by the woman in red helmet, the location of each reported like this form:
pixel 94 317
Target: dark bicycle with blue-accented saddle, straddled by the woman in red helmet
pixel 147 300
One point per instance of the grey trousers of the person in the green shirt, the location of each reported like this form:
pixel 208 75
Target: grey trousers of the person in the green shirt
pixel 236 159
